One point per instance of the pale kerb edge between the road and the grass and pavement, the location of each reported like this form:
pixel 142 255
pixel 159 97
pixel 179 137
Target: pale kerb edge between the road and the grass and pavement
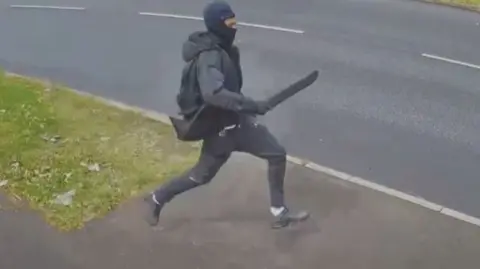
pixel 163 118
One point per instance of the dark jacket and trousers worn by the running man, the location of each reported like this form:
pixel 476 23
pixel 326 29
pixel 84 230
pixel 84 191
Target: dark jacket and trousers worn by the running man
pixel 214 69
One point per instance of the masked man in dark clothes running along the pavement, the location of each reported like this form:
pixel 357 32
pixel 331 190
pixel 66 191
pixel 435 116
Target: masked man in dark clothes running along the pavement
pixel 213 71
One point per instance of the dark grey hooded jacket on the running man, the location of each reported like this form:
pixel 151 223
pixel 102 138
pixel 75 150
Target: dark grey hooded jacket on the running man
pixel 217 76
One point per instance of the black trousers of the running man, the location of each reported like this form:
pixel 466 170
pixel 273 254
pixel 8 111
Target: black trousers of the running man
pixel 248 137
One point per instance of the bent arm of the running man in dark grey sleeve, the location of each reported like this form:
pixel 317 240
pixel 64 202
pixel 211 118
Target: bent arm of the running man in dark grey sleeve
pixel 211 83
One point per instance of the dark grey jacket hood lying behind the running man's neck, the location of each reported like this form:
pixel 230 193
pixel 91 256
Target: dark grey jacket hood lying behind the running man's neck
pixel 198 42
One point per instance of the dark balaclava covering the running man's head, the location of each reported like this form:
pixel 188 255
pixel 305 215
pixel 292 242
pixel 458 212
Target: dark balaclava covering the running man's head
pixel 214 16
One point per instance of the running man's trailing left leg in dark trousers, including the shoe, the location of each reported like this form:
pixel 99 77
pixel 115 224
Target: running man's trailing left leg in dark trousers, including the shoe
pixel 215 152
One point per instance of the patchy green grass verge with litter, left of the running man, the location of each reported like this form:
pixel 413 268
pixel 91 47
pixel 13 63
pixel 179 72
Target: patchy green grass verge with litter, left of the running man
pixel 52 140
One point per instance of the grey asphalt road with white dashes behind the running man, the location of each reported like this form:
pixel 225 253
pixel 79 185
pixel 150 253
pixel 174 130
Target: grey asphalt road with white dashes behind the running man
pixel 380 110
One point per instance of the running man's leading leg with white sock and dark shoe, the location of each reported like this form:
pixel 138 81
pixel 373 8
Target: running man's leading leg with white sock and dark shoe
pixel 257 140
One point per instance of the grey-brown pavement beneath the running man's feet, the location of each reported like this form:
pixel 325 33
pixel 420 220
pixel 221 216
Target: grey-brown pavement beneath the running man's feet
pixel 225 225
